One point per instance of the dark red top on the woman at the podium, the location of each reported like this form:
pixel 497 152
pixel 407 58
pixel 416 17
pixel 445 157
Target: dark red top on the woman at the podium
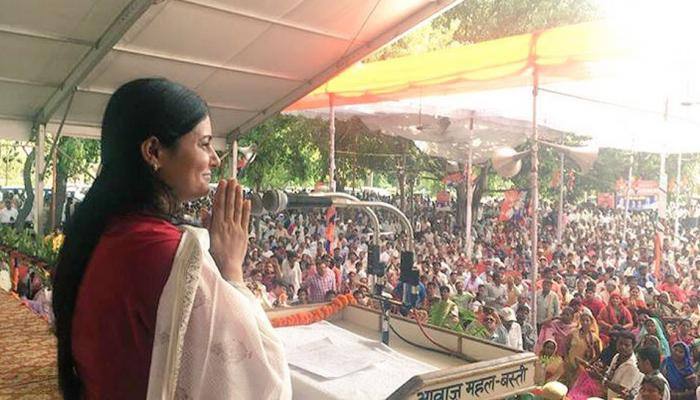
pixel 115 315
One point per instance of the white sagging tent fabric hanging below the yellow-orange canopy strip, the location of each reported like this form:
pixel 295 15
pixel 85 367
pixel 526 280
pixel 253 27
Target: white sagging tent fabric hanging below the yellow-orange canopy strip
pixel 645 109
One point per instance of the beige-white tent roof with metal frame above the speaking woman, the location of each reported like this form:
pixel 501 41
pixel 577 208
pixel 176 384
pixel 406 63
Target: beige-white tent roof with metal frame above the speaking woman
pixel 248 58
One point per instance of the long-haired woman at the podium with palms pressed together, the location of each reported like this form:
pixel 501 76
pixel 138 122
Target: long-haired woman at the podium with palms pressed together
pixel 146 306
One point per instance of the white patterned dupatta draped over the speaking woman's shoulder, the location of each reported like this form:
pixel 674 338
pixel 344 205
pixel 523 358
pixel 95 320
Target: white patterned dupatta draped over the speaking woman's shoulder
pixel 212 340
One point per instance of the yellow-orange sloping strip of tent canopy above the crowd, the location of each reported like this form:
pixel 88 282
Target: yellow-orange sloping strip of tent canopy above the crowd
pixel 559 54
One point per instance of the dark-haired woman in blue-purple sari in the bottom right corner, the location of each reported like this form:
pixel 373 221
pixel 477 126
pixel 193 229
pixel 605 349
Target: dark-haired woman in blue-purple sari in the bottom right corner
pixel 678 370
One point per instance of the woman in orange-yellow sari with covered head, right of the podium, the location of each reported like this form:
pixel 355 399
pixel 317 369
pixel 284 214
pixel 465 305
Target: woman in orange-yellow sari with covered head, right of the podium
pixel 586 346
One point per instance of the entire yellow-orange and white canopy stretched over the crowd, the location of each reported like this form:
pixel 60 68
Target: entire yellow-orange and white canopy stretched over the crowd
pixel 620 86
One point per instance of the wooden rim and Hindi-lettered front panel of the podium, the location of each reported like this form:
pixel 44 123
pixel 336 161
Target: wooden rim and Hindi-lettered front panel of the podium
pixel 487 370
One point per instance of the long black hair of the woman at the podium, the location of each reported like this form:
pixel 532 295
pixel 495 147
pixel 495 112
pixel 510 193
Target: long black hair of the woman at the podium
pixel 136 111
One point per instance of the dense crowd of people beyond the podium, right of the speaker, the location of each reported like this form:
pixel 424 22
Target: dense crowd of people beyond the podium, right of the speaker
pixel 617 301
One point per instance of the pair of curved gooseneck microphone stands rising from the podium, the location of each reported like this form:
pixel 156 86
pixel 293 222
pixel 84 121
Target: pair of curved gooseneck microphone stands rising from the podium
pixel 344 200
